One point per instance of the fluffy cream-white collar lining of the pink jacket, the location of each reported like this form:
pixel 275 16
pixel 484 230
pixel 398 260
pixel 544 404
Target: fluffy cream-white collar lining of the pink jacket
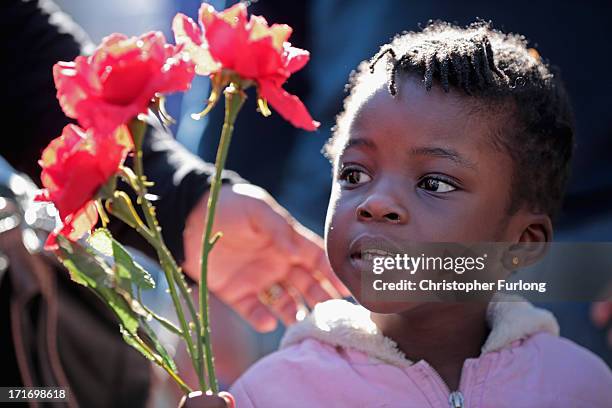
pixel 341 323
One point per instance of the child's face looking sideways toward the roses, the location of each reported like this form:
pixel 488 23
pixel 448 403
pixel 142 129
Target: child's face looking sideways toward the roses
pixel 418 167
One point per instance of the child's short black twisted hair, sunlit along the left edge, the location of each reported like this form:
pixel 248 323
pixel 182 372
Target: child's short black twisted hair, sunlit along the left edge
pixel 500 72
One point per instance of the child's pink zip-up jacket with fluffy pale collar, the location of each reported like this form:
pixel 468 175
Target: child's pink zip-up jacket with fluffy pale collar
pixel 336 357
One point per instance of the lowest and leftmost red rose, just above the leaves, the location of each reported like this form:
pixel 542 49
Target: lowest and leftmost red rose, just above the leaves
pixel 74 168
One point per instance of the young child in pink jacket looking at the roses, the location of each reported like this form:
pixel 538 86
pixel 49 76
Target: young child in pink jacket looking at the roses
pixel 449 135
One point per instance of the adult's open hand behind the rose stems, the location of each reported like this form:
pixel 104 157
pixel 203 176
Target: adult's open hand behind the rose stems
pixel 265 262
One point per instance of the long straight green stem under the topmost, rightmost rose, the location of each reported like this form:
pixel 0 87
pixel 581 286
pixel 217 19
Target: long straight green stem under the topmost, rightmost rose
pixel 234 99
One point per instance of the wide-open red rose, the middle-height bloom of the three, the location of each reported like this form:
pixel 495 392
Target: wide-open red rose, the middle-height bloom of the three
pixel 118 81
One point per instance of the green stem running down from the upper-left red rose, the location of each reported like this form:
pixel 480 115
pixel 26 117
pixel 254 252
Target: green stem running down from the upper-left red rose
pixel 169 267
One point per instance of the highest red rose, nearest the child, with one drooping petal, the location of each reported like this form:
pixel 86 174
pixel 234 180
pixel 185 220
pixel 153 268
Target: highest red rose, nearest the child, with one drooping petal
pixel 252 49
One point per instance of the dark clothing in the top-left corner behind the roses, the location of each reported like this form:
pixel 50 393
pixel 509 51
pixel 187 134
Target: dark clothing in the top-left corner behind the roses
pixel 32 39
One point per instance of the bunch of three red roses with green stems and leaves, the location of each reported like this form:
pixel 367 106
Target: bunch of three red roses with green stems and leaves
pixel 108 93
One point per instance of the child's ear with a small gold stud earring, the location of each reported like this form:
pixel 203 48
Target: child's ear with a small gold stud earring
pixel 533 241
